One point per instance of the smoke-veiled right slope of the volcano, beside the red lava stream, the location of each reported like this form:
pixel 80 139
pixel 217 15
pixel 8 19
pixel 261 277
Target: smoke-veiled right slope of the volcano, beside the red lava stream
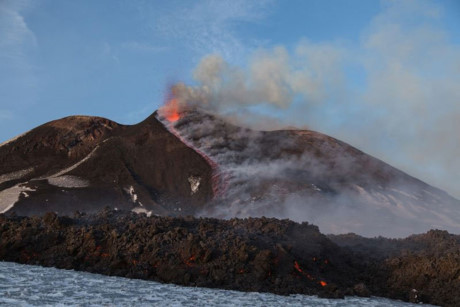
pixel 307 176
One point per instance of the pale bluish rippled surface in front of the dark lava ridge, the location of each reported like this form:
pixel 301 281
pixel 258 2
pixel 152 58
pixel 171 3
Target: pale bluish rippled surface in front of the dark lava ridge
pixel 28 285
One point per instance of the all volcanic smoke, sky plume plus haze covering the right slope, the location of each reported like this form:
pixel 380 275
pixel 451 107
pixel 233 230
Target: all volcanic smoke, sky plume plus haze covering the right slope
pixel 395 95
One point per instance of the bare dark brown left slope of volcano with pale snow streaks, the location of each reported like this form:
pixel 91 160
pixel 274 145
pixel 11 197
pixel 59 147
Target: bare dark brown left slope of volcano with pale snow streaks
pixel 86 163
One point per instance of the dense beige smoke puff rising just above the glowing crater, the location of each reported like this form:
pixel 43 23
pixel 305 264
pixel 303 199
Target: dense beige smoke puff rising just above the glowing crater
pixel 272 79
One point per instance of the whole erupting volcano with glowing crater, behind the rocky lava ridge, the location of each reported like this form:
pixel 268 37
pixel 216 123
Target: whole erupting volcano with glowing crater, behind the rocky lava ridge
pixel 197 163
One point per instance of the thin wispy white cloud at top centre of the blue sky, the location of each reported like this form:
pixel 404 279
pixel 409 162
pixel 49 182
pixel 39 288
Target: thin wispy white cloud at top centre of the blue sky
pixel 208 26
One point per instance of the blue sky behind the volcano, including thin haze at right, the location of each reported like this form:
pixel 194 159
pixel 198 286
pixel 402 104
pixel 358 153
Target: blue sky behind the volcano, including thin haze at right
pixel 382 75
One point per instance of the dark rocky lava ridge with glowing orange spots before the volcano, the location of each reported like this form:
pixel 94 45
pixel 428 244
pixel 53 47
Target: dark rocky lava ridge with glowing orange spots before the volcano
pixel 254 254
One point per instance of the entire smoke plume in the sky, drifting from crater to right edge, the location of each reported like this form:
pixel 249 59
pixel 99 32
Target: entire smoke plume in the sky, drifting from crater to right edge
pixel 394 94
